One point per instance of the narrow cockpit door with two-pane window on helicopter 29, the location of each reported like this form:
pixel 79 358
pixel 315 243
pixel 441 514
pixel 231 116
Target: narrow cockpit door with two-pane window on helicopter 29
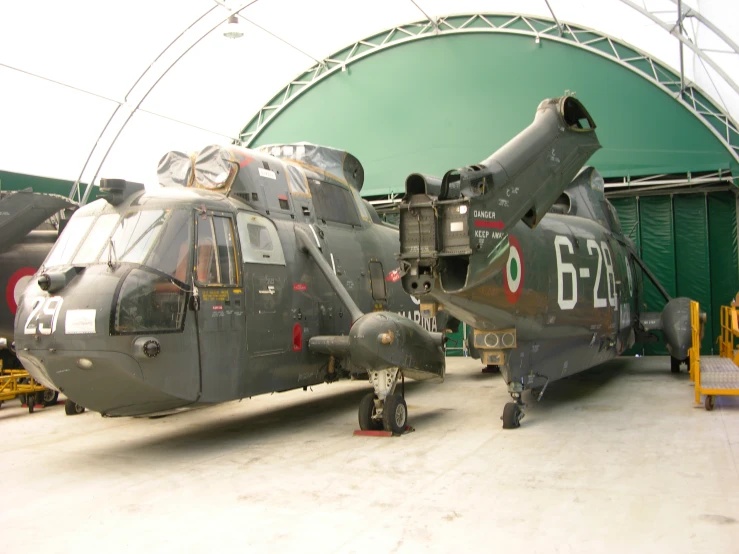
pixel 221 316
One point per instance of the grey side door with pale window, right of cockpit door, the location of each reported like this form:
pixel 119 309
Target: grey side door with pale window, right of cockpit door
pixel 265 281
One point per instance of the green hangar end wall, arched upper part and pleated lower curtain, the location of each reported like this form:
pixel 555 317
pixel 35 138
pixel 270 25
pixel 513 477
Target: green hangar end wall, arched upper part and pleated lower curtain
pixel 449 100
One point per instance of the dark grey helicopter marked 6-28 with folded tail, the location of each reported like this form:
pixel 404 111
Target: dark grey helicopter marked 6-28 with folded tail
pixel 525 248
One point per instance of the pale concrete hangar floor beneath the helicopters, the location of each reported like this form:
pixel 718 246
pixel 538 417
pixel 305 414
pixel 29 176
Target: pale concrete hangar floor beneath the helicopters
pixel 613 460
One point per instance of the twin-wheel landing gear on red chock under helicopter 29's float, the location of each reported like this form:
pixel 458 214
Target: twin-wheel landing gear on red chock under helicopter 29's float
pixel 384 408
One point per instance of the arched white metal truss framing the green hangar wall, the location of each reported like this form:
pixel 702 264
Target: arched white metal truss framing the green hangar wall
pixel 654 71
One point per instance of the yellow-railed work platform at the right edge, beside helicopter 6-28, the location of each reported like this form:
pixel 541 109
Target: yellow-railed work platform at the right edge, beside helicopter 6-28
pixel 715 376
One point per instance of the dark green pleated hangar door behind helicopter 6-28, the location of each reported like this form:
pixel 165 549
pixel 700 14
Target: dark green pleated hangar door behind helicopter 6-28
pixel 689 241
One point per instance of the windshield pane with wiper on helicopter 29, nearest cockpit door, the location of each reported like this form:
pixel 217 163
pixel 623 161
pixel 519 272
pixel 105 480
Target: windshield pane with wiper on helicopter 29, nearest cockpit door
pixel 134 237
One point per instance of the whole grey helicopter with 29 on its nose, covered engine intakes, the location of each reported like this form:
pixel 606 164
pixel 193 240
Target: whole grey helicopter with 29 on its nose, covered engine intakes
pixel 245 272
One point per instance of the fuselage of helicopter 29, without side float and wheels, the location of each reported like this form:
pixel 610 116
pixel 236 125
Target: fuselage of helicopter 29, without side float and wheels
pixel 177 297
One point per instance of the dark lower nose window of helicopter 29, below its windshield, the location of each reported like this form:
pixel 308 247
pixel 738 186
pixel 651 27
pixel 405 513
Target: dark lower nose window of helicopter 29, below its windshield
pixel 147 303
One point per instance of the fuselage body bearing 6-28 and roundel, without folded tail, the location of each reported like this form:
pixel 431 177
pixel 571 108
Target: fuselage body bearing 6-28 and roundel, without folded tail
pixel 568 293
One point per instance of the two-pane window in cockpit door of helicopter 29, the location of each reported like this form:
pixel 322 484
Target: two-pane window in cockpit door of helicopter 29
pixel 216 257
